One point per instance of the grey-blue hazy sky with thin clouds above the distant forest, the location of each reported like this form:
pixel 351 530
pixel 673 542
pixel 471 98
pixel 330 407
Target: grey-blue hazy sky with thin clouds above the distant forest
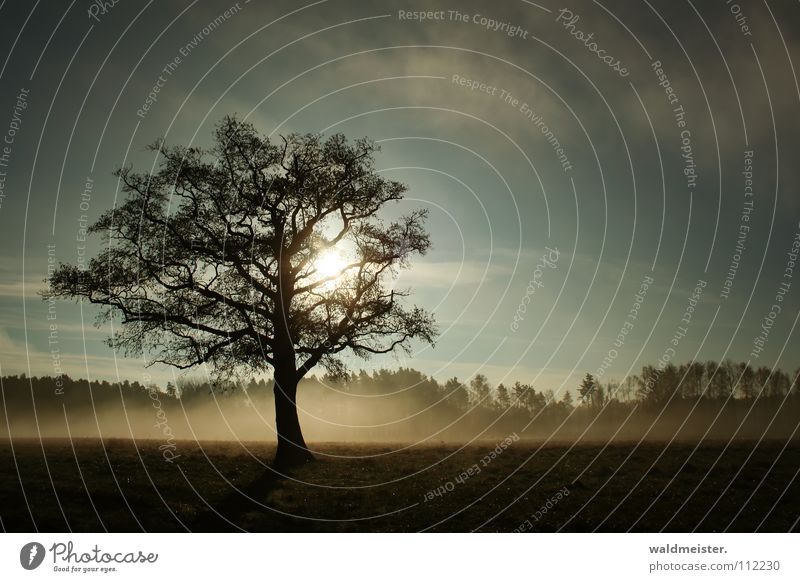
pixel 610 184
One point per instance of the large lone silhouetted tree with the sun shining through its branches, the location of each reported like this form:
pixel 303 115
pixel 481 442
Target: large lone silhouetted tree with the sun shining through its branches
pixel 257 255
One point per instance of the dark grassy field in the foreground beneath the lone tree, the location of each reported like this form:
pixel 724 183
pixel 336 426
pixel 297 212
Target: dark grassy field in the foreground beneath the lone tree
pixel 127 486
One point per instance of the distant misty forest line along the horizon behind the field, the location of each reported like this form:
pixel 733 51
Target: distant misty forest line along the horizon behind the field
pixel 695 400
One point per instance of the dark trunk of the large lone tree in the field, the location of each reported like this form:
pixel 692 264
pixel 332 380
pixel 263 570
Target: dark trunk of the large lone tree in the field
pixel 292 450
